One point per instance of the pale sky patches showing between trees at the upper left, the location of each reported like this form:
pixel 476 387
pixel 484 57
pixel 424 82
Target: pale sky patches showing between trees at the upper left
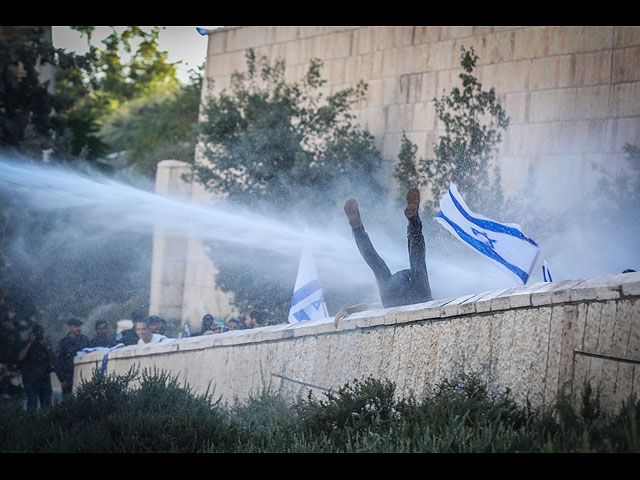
pixel 182 43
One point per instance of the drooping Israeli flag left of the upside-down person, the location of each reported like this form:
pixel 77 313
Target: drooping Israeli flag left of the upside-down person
pixel 307 302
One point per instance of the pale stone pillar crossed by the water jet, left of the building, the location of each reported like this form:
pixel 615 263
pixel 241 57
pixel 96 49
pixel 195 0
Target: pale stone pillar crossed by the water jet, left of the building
pixel 169 251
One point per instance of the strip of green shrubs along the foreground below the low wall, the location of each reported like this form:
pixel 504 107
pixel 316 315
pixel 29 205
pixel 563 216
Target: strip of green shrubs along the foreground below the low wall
pixel 160 415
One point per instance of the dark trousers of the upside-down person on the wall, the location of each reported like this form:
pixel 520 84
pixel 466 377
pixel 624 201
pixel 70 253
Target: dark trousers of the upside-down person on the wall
pixel 405 287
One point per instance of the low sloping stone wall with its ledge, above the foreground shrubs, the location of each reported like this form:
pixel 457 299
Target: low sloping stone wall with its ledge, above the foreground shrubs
pixel 535 340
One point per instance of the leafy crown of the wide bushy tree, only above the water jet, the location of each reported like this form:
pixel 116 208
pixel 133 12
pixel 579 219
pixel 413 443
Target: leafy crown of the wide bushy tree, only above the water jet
pixel 269 140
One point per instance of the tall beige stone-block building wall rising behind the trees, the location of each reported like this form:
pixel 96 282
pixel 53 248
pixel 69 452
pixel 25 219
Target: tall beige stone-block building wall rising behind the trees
pixel 572 93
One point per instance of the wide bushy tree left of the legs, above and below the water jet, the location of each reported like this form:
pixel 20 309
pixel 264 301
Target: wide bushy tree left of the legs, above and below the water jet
pixel 281 146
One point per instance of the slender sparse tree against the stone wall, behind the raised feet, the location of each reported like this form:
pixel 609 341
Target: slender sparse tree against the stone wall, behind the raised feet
pixel 473 122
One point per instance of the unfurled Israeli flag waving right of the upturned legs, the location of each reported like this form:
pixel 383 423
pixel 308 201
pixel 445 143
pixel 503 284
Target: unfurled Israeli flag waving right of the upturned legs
pixel 502 243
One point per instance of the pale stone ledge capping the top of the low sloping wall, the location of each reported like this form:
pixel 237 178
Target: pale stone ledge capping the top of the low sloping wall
pixel 601 288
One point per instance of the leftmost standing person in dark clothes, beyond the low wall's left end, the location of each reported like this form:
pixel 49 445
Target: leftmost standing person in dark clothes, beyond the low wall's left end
pixel 35 360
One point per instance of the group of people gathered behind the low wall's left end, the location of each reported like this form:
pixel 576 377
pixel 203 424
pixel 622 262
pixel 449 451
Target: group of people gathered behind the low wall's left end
pixel 38 358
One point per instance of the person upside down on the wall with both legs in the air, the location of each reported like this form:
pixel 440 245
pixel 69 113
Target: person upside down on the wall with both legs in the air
pixel 404 287
